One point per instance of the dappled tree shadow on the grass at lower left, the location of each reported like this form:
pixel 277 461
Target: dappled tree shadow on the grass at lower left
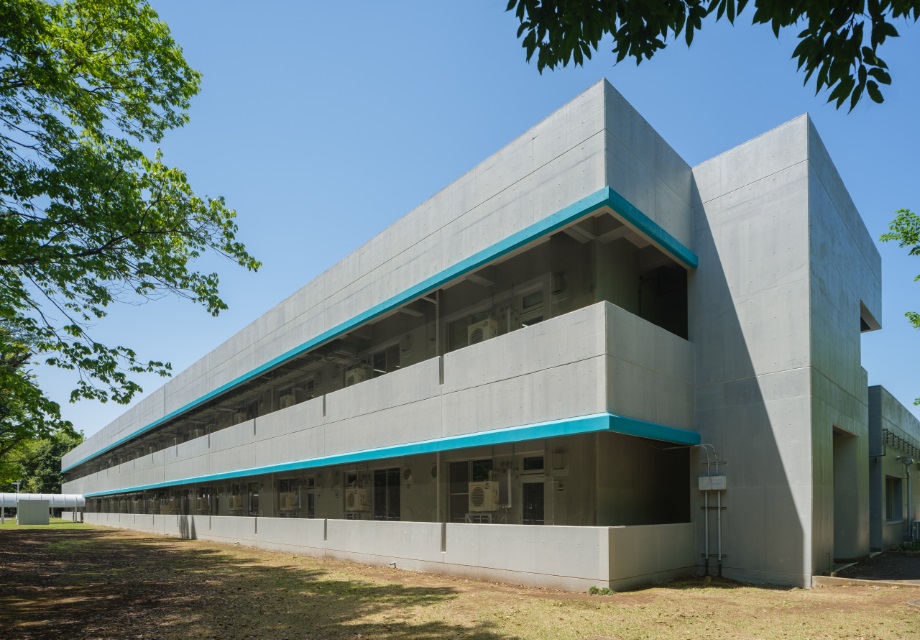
pixel 100 584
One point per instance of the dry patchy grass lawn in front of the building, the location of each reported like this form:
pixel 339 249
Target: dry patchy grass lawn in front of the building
pixel 79 581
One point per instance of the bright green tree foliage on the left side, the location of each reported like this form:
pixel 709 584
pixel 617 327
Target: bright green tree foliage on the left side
pixel 87 218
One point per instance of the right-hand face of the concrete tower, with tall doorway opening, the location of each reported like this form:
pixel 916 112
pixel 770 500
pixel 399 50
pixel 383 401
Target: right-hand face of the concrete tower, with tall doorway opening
pixel 845 283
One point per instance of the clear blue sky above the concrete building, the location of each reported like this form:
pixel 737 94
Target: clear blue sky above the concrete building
pixel 323 123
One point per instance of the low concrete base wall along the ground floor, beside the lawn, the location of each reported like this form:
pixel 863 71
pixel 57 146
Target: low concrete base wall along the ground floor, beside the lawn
pixel 570 558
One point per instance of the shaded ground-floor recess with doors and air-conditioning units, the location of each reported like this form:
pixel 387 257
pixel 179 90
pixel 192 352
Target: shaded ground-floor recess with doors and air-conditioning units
pixel 557 481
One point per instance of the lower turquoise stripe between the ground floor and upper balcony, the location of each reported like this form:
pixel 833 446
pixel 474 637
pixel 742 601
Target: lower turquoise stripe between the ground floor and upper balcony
pixel 572 426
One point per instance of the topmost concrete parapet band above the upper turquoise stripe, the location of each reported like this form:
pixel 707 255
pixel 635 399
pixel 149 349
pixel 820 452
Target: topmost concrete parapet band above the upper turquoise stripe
pixel 595 140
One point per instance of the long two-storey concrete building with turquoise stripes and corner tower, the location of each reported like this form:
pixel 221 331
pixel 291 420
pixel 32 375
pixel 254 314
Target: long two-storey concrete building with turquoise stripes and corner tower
pixel 525 377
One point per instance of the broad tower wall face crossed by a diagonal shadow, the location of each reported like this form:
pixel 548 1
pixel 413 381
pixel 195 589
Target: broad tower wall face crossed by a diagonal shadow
pixel 749 319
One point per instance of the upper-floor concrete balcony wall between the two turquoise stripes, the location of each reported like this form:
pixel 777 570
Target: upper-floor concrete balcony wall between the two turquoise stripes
pixel 559 368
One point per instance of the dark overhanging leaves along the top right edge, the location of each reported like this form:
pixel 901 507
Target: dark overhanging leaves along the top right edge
pixel 838 42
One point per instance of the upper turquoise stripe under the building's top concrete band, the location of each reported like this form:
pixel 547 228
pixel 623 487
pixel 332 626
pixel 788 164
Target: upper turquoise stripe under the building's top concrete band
pixel 605 197
